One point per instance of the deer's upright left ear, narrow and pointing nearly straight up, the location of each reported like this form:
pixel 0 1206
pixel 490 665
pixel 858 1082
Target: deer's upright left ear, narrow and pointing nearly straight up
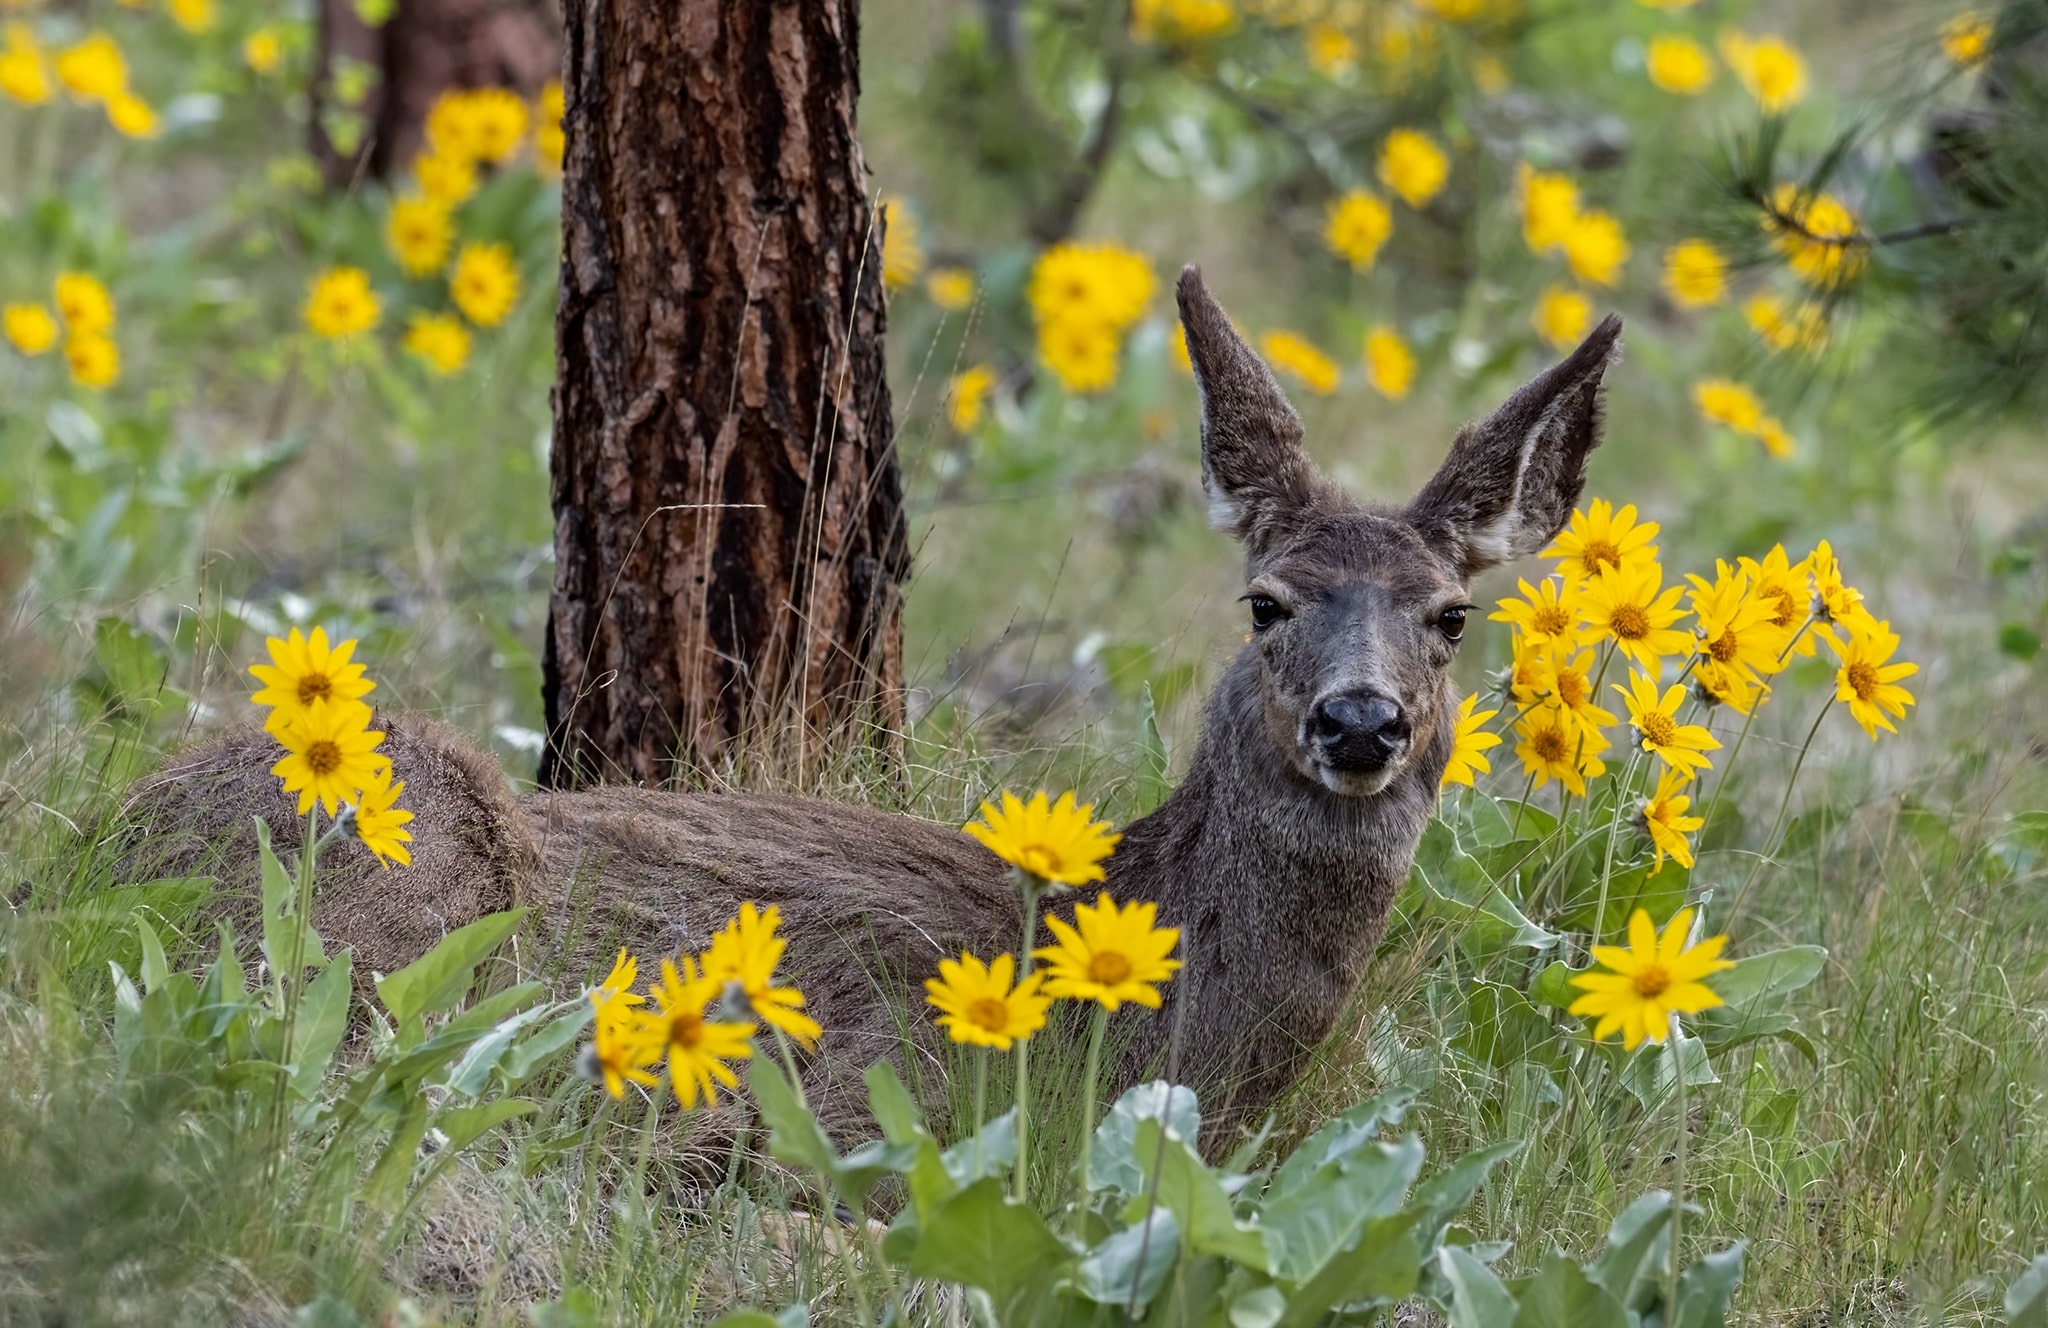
pixel 1254 470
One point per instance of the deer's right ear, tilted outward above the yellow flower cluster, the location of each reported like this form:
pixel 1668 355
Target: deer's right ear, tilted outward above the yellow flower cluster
pixel 1512 481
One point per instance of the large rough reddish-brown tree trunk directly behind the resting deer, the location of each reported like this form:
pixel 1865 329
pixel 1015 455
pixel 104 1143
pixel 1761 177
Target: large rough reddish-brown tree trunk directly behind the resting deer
pixel 728 509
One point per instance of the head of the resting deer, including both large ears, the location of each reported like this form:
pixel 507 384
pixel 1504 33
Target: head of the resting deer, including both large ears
pixel 1357 612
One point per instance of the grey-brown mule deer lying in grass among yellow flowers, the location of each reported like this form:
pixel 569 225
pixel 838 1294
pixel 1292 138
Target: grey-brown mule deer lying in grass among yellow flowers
pixel 1279 854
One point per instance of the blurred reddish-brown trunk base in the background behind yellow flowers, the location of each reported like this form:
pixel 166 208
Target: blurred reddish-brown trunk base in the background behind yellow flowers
pixel 423 50
